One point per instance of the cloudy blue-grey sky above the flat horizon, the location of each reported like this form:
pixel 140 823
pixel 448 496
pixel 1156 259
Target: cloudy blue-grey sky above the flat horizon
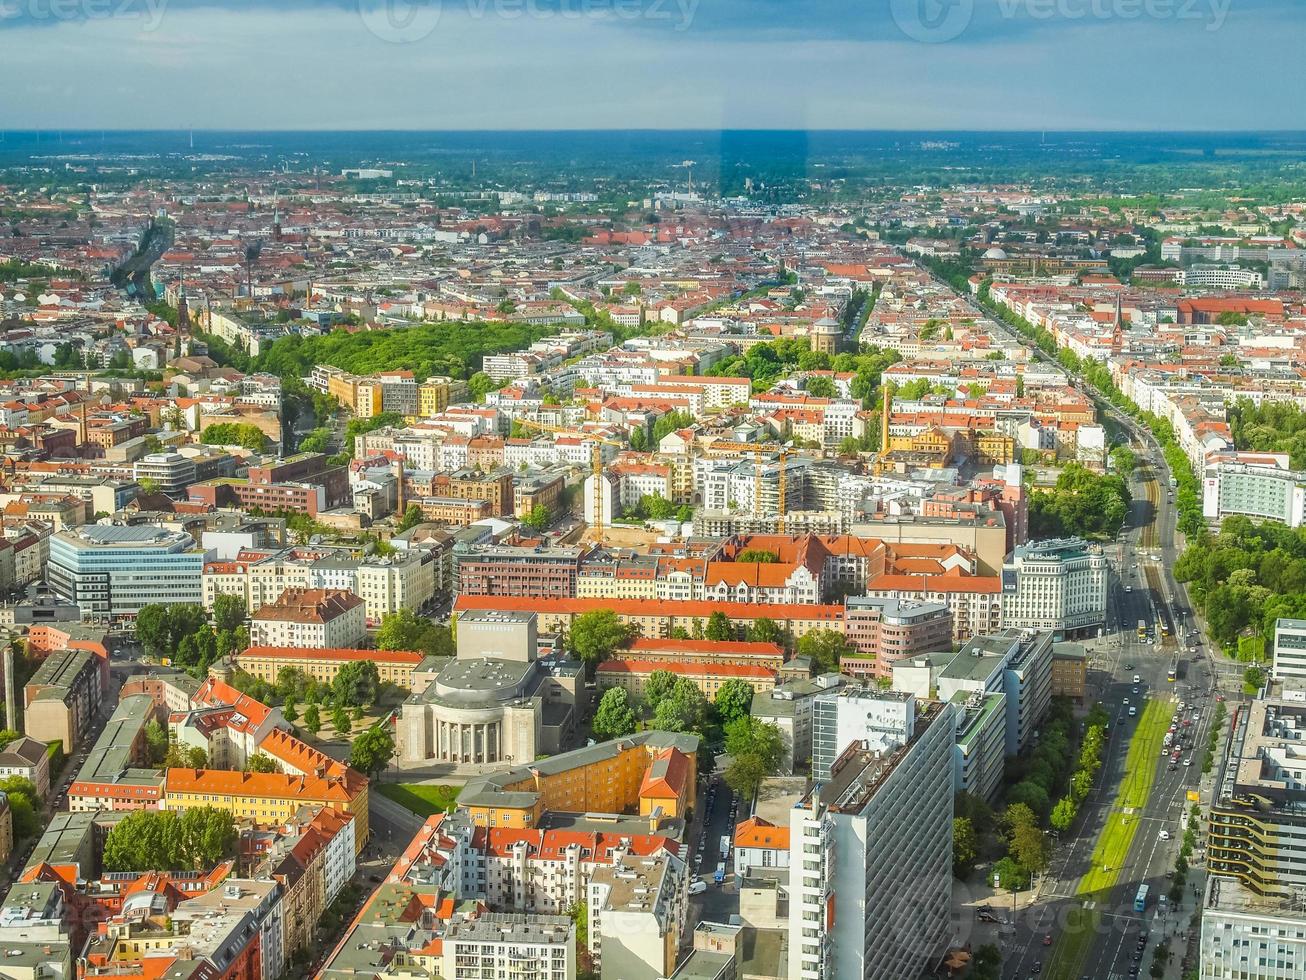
pixel 594 65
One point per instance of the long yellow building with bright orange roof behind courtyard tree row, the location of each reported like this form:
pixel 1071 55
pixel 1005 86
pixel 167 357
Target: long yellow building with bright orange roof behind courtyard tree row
pixel 268 798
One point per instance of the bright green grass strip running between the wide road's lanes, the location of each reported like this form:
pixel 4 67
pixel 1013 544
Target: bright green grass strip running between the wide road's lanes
pixel 1113 846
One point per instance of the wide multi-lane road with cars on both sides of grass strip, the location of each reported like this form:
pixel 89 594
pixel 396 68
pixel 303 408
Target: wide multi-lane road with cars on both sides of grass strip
pixel 1142 590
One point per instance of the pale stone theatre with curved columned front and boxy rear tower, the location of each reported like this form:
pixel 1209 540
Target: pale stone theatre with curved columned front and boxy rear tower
pixel 496 702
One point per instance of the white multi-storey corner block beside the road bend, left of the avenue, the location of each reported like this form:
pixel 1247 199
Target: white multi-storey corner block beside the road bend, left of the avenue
pixel 1059 586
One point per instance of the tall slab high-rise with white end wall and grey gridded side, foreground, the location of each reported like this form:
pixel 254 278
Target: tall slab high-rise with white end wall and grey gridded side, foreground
pixel 870 860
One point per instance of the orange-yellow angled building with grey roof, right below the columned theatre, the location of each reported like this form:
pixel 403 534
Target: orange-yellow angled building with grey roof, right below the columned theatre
pixel 648 773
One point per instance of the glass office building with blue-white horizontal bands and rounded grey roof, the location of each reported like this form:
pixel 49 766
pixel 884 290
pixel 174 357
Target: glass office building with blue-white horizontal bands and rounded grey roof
pixel 112 570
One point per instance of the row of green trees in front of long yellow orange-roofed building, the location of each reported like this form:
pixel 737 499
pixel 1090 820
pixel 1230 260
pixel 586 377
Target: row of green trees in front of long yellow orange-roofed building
pixel 186 841
